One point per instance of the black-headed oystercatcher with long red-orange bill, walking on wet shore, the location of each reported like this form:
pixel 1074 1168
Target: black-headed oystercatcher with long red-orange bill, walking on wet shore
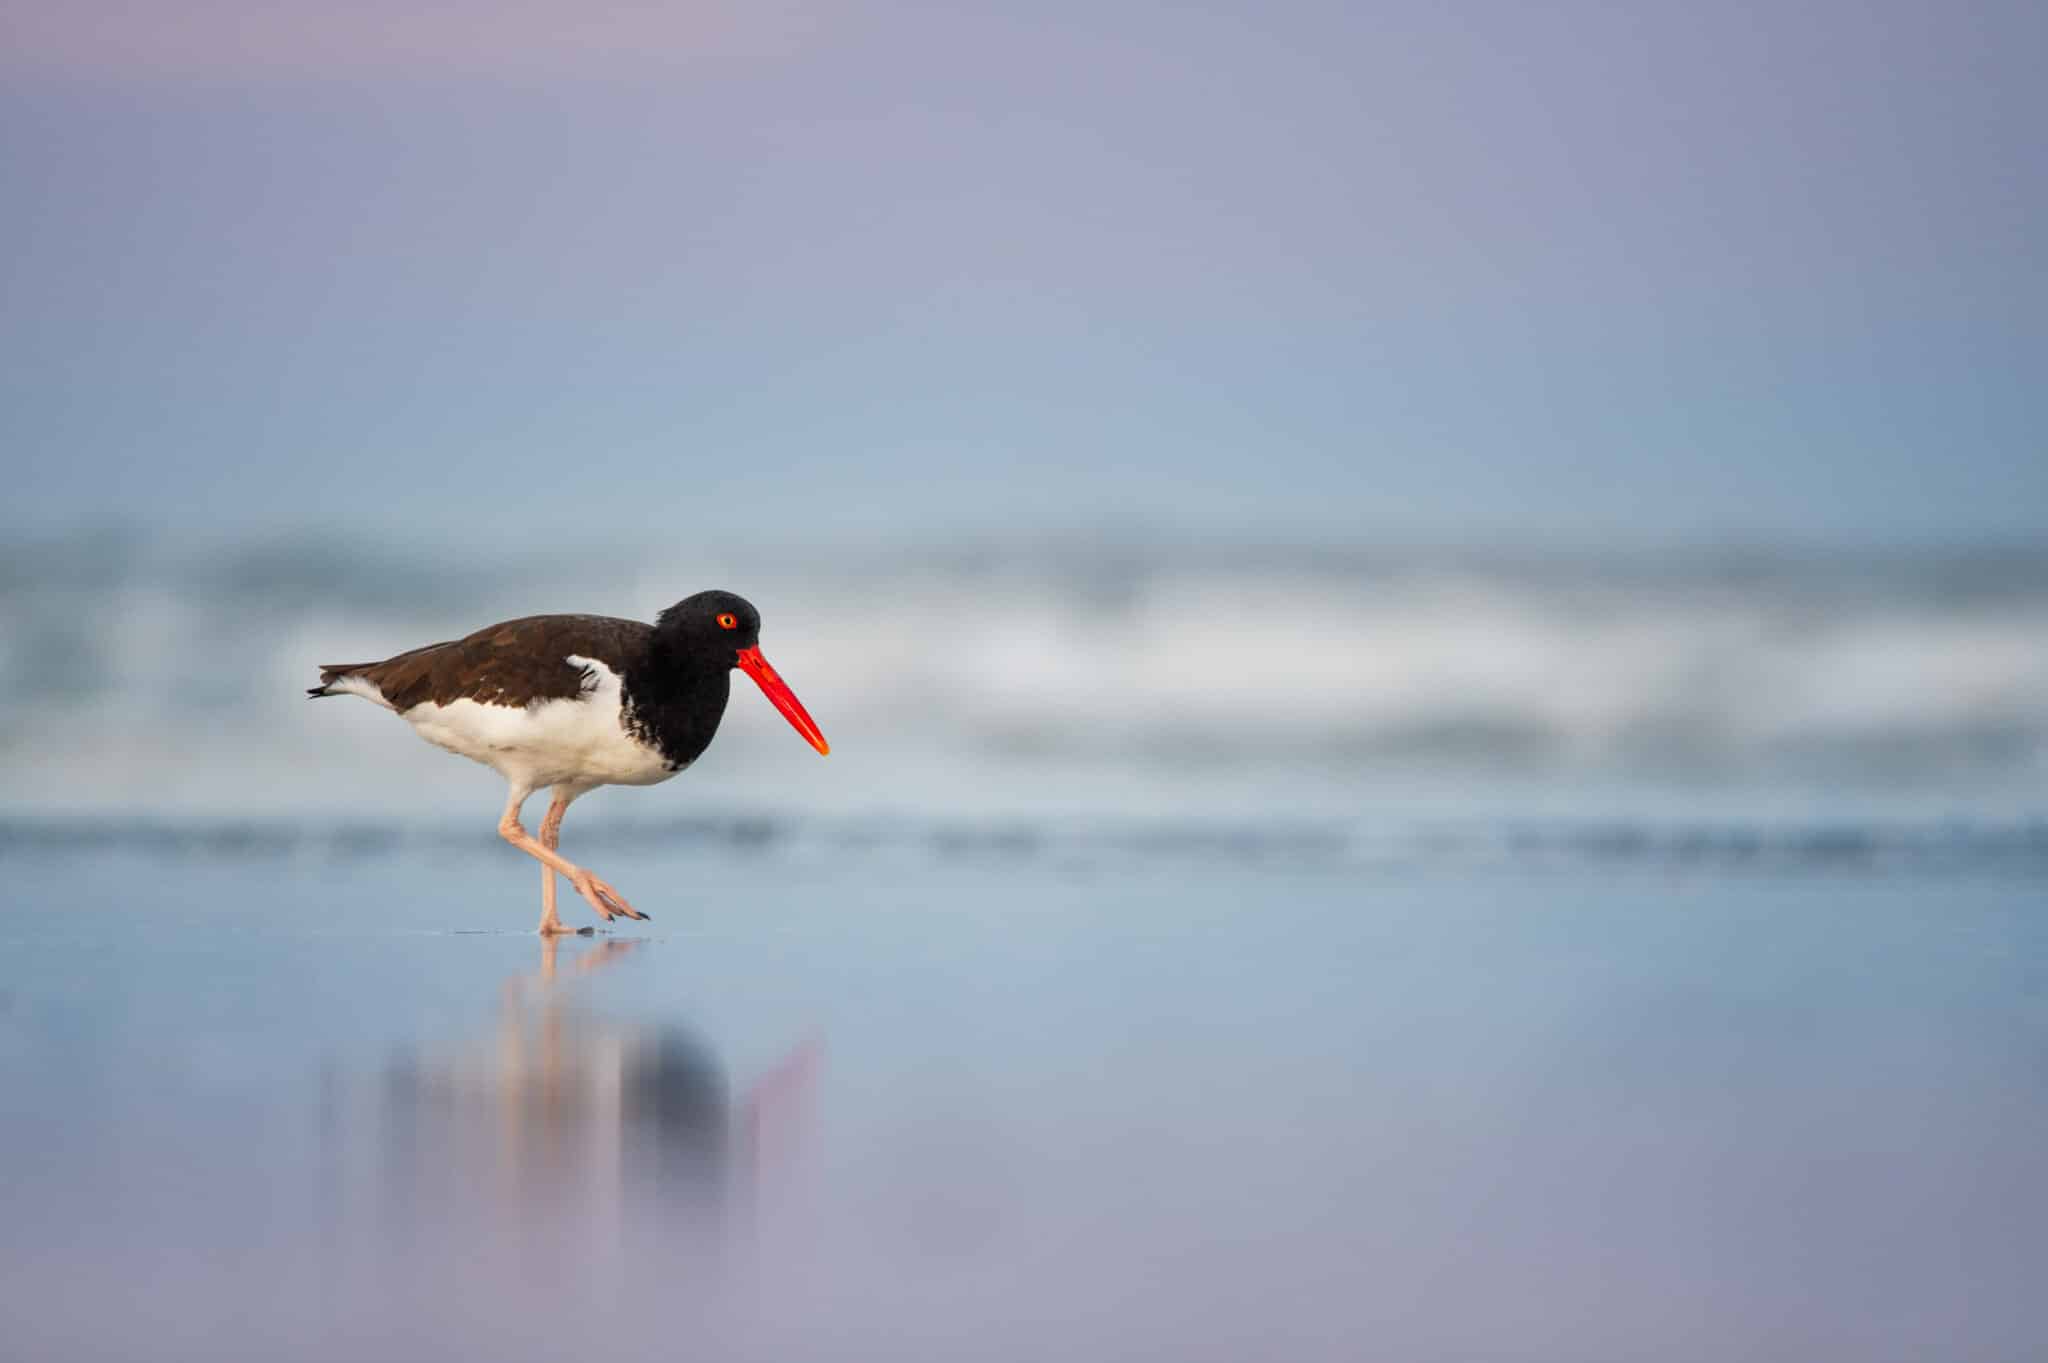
pixel 579 703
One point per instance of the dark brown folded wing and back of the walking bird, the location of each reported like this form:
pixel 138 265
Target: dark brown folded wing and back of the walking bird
pixel 513 664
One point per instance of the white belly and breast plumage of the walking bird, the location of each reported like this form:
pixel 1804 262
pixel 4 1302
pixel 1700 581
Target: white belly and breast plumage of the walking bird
pixel 556 742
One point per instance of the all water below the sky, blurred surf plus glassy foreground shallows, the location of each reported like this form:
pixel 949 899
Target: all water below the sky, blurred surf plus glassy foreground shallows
pixel 1185 955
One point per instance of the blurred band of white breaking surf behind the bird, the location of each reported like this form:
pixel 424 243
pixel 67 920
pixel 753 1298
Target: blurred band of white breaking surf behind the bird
pixel 1072 676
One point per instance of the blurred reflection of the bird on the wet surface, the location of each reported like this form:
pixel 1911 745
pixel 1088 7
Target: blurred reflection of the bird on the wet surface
pixel 566 1129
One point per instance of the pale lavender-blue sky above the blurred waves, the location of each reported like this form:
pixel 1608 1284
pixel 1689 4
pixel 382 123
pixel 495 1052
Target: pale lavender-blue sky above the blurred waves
pixel 908 271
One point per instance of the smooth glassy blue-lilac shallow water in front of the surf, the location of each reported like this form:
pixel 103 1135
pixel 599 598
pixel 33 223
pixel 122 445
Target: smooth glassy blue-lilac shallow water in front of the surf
pixel 896 1100
